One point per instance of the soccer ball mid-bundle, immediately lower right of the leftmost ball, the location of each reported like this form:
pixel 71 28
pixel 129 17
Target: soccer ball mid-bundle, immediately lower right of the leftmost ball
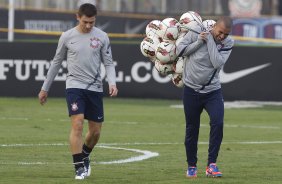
pixel 166 52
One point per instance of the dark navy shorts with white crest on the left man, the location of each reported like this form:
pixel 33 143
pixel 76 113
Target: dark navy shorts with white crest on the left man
pixel 89 103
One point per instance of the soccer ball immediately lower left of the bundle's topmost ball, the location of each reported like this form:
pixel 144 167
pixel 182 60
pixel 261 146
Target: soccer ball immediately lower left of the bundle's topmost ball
pixel 169 29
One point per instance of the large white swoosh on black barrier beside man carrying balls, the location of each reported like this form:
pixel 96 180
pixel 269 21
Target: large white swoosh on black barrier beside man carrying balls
pixel 229 77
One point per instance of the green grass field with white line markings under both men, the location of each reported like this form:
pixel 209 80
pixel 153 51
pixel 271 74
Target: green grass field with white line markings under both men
pixel 34 144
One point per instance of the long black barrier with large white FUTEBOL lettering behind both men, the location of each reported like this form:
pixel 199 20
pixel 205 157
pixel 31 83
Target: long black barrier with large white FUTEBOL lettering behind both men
pixel 251 73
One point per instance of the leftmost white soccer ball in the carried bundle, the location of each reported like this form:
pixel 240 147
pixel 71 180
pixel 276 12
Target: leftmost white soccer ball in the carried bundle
pixel 148 46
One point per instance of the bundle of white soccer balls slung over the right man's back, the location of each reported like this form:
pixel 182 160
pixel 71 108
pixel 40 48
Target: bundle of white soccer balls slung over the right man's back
pixel 162 38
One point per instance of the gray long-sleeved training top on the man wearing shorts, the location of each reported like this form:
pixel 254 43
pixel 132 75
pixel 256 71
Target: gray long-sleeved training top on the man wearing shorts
pixel 85 52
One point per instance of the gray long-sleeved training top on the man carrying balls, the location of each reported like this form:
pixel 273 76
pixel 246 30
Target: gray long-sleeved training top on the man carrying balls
pixel 203 60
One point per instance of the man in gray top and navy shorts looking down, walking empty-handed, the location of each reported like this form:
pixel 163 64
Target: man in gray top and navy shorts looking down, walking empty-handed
pixel 86 48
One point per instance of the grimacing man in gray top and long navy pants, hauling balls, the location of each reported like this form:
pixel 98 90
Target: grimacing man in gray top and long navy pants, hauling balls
pixel 205 54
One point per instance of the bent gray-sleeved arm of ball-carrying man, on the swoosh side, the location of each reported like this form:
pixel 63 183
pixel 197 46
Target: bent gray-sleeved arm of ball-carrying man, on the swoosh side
pixel 219 57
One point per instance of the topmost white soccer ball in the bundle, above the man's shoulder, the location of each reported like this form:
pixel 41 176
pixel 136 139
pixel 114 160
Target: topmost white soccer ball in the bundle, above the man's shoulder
pixel 188 17
